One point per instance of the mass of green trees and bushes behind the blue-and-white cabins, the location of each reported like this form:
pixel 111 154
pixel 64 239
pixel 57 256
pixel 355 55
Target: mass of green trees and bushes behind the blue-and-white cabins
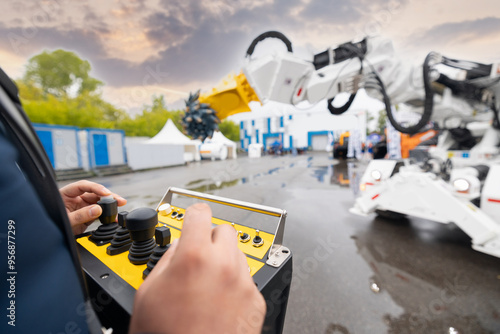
pixel 57 89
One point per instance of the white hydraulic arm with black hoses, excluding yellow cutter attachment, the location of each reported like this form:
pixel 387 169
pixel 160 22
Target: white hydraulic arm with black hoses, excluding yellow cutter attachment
pixel 465 94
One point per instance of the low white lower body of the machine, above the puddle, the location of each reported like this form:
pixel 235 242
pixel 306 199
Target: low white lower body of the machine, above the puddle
pixel 415 192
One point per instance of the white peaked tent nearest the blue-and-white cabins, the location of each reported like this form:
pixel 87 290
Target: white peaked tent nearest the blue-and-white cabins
pixel 169 134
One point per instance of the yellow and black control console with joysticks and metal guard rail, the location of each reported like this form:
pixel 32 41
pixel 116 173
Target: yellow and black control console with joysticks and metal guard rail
pixel 116 269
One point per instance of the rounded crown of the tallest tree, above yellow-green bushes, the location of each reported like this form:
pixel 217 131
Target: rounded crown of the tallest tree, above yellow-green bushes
pixel 60 73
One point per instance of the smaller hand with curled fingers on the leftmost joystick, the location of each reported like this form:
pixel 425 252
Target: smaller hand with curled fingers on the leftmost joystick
pixel 80 200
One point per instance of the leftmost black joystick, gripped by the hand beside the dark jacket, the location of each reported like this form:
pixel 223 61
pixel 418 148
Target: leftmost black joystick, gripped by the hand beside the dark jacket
pixel 105 232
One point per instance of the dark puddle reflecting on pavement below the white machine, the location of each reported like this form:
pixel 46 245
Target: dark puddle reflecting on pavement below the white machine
pixel 438 293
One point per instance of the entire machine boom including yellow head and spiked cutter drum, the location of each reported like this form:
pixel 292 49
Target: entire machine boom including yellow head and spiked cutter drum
pixel 470 93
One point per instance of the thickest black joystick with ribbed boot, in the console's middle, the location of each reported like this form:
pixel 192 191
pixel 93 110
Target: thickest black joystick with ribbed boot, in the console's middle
pixel 141 224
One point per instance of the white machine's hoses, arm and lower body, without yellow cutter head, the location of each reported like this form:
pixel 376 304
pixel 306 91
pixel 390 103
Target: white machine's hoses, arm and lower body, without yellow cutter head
pixel 467 95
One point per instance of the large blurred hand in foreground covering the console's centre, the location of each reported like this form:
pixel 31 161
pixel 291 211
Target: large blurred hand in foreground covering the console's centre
pixel 200 285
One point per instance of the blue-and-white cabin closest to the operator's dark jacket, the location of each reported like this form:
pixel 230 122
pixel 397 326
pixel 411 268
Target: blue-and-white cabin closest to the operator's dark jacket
pixel 62 145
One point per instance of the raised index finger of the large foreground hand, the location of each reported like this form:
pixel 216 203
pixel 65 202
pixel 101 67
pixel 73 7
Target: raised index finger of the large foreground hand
pixel 197 227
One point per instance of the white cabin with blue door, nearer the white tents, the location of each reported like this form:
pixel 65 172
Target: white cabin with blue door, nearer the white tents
pixel 104 148
